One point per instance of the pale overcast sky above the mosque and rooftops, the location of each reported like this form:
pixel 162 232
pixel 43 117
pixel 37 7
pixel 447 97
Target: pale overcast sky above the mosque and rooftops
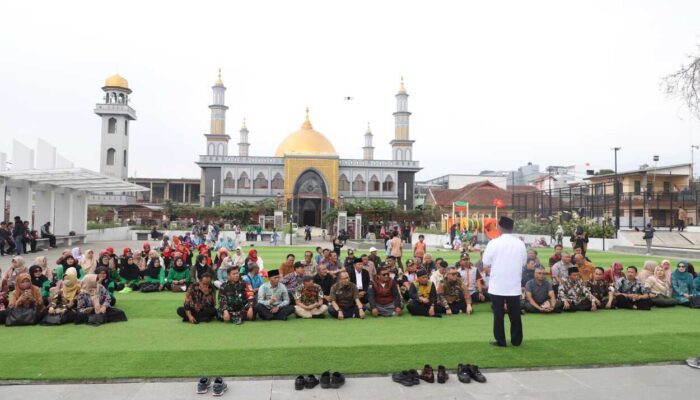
pixel 493 85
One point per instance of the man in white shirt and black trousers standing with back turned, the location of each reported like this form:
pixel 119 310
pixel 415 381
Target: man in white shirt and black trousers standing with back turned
pixel 506 257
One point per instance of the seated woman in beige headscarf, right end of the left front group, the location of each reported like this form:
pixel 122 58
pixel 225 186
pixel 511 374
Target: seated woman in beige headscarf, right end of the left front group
pixel 95 299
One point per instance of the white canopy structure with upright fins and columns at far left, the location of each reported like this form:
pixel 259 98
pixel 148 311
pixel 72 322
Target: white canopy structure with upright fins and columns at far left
pixel 56 192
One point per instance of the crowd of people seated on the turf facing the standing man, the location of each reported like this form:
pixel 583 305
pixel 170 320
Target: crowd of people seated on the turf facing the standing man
pixel 220 281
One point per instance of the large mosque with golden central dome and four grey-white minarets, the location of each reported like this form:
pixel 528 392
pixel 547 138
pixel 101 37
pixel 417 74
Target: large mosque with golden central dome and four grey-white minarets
pixel 306 175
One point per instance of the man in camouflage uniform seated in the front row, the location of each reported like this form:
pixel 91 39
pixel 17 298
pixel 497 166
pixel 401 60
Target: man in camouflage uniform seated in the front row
pixel 234 298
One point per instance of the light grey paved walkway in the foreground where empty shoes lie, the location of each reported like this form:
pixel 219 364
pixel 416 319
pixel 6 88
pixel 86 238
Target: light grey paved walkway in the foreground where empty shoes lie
pixel 643 382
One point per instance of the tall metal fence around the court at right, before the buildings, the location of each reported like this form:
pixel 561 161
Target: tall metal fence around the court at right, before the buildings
pixel 598 202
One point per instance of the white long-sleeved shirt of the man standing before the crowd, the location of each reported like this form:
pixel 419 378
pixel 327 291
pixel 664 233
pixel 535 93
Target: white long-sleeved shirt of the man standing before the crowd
pixel 506 255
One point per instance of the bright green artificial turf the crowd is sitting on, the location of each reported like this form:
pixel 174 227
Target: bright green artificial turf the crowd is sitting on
pixel 155 343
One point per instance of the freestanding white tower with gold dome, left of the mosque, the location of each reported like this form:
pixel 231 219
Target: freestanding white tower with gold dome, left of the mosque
pixel 116 114
